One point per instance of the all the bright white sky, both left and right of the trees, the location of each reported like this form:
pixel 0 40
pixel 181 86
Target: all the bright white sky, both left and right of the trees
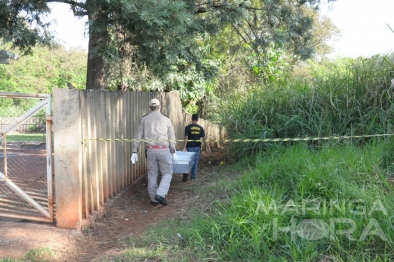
pixel 363 25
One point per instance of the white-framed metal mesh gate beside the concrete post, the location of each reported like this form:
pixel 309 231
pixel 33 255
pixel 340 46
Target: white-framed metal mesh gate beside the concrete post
pixel 26 184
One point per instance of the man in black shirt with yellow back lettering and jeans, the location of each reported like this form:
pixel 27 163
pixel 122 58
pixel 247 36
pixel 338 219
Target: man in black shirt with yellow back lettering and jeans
pixel 194 132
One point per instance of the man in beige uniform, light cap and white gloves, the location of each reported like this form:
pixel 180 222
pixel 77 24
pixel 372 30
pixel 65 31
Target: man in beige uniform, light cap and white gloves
pixel 157 129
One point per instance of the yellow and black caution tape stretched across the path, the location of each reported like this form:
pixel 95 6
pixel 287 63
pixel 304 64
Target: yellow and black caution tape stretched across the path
pixel 264 140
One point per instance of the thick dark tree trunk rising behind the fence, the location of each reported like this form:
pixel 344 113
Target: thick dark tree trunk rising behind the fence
pixel 98 40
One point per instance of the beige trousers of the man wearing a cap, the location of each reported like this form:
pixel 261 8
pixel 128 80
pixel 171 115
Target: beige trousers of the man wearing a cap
pixel 159 159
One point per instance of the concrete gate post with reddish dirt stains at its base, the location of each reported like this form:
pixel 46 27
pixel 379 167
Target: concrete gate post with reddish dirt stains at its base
pixel 67 157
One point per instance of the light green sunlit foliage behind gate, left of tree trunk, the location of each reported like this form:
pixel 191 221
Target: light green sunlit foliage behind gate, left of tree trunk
pixel 44 70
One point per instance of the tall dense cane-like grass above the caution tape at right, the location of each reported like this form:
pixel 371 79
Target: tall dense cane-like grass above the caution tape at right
pixel 355 98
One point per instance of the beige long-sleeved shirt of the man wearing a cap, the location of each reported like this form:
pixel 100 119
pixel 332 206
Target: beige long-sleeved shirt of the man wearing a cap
pixel 158 129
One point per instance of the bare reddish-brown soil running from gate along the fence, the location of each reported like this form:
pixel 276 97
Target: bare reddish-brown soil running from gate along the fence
pixel 128 217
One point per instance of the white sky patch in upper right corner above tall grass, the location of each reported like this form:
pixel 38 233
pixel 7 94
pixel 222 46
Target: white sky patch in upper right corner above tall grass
pixel 363 25
